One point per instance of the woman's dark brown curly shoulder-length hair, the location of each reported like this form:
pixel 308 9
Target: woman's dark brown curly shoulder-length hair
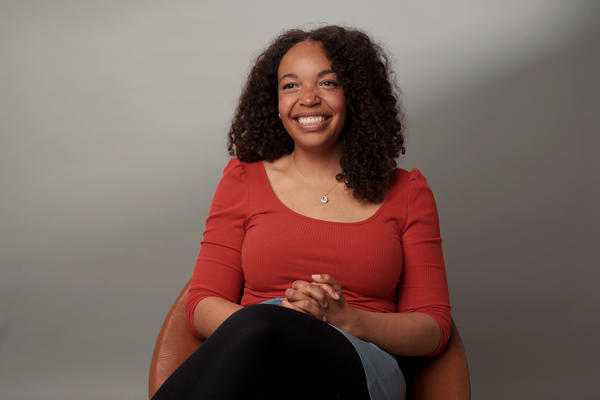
pixel 372 133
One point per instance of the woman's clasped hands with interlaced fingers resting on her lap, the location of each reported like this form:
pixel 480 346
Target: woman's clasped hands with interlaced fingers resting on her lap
pixel 321 298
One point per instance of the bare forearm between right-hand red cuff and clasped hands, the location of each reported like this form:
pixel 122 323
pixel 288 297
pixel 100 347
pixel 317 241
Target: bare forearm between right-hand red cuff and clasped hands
pixel 404 334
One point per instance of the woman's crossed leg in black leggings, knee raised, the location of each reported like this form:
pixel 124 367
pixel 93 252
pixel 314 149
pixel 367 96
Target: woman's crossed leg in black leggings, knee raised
pixel 266 351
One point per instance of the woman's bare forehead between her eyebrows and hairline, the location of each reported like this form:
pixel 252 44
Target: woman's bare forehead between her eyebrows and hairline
pixel 307 56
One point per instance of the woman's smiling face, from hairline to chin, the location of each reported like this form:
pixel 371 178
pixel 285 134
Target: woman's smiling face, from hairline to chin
pixel 311 101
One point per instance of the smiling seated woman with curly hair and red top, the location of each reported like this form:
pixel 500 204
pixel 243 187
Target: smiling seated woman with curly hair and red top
pixel 314 219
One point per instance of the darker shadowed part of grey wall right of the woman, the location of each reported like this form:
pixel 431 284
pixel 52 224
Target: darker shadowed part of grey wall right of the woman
pixel 510 164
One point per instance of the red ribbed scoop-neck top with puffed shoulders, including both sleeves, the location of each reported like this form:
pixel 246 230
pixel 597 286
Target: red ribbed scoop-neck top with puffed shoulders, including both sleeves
pixel 254 247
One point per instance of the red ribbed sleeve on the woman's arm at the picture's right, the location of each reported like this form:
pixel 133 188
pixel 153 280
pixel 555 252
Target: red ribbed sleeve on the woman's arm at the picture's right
pixel 424 286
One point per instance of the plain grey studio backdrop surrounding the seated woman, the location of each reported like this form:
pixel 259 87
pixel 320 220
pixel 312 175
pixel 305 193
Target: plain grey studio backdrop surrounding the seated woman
pixel 113 117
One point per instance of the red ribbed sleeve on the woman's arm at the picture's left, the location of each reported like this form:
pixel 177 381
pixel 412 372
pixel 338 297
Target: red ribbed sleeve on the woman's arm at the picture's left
pixel 218 271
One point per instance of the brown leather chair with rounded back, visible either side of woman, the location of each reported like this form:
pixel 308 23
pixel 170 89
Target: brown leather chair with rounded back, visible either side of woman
pixel 444 377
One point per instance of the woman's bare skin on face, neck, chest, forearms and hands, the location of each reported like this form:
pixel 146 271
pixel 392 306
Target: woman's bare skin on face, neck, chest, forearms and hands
pixel 307 86
